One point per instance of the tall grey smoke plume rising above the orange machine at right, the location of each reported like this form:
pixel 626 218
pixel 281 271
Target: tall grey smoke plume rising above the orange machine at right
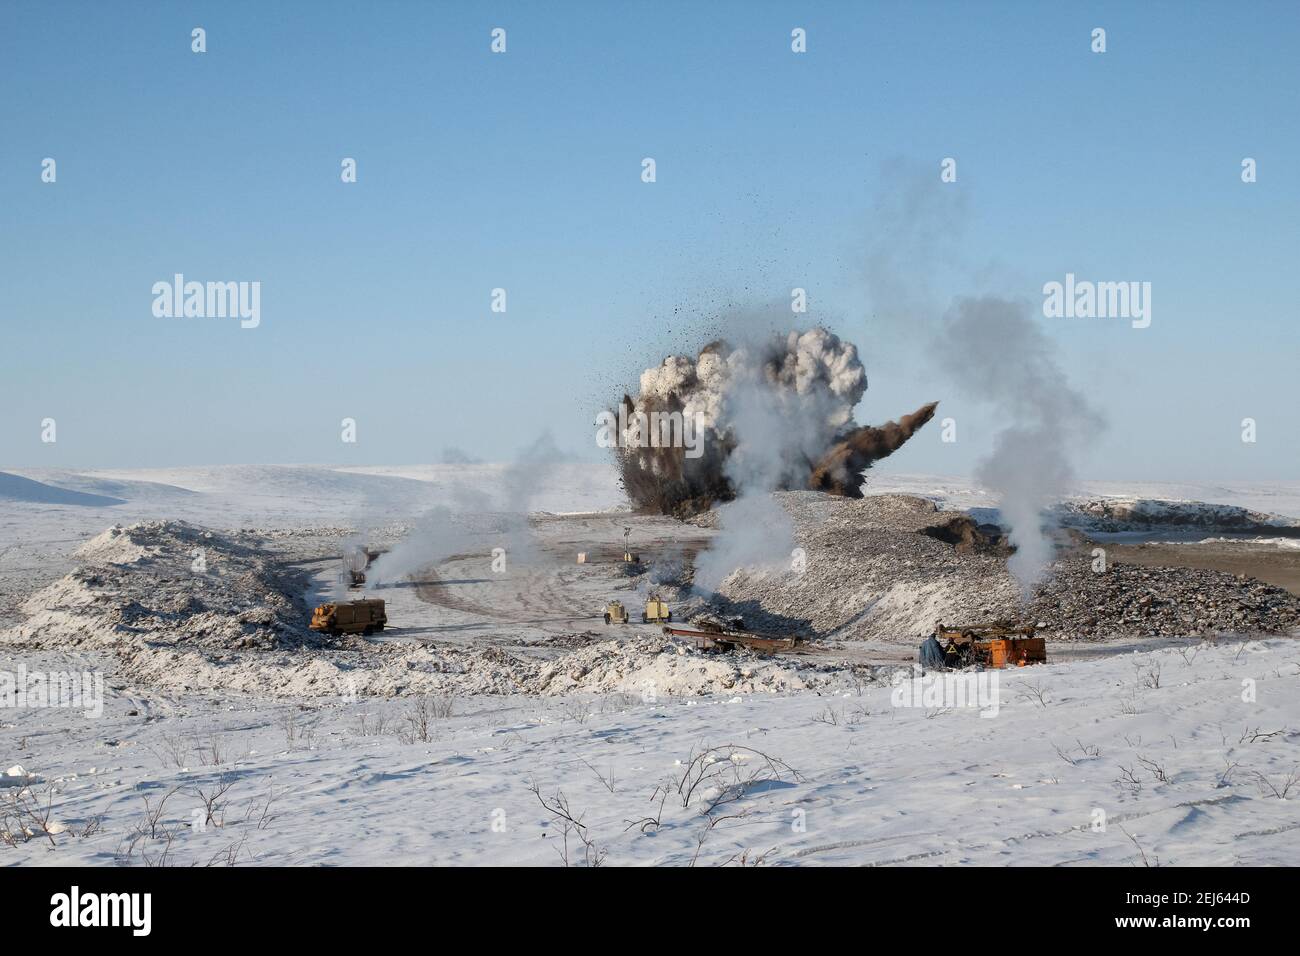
pixel 993 349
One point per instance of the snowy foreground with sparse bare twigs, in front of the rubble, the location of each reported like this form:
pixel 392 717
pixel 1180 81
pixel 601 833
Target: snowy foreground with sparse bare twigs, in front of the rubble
pixel 1182 756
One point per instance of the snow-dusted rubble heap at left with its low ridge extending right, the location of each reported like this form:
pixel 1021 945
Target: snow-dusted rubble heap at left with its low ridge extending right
pixel 239 622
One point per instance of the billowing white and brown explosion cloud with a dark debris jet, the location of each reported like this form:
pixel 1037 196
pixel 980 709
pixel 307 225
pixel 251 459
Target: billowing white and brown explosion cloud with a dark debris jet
pixel 765 417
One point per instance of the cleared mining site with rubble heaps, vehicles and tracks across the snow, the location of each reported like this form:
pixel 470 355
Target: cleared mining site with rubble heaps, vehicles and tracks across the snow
pixel 885 574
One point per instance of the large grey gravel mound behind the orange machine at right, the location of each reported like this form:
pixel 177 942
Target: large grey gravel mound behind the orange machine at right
pixel 890 568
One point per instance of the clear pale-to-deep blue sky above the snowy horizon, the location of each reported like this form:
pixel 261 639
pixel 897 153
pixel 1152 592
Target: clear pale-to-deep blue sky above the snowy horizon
pixel 522 171
